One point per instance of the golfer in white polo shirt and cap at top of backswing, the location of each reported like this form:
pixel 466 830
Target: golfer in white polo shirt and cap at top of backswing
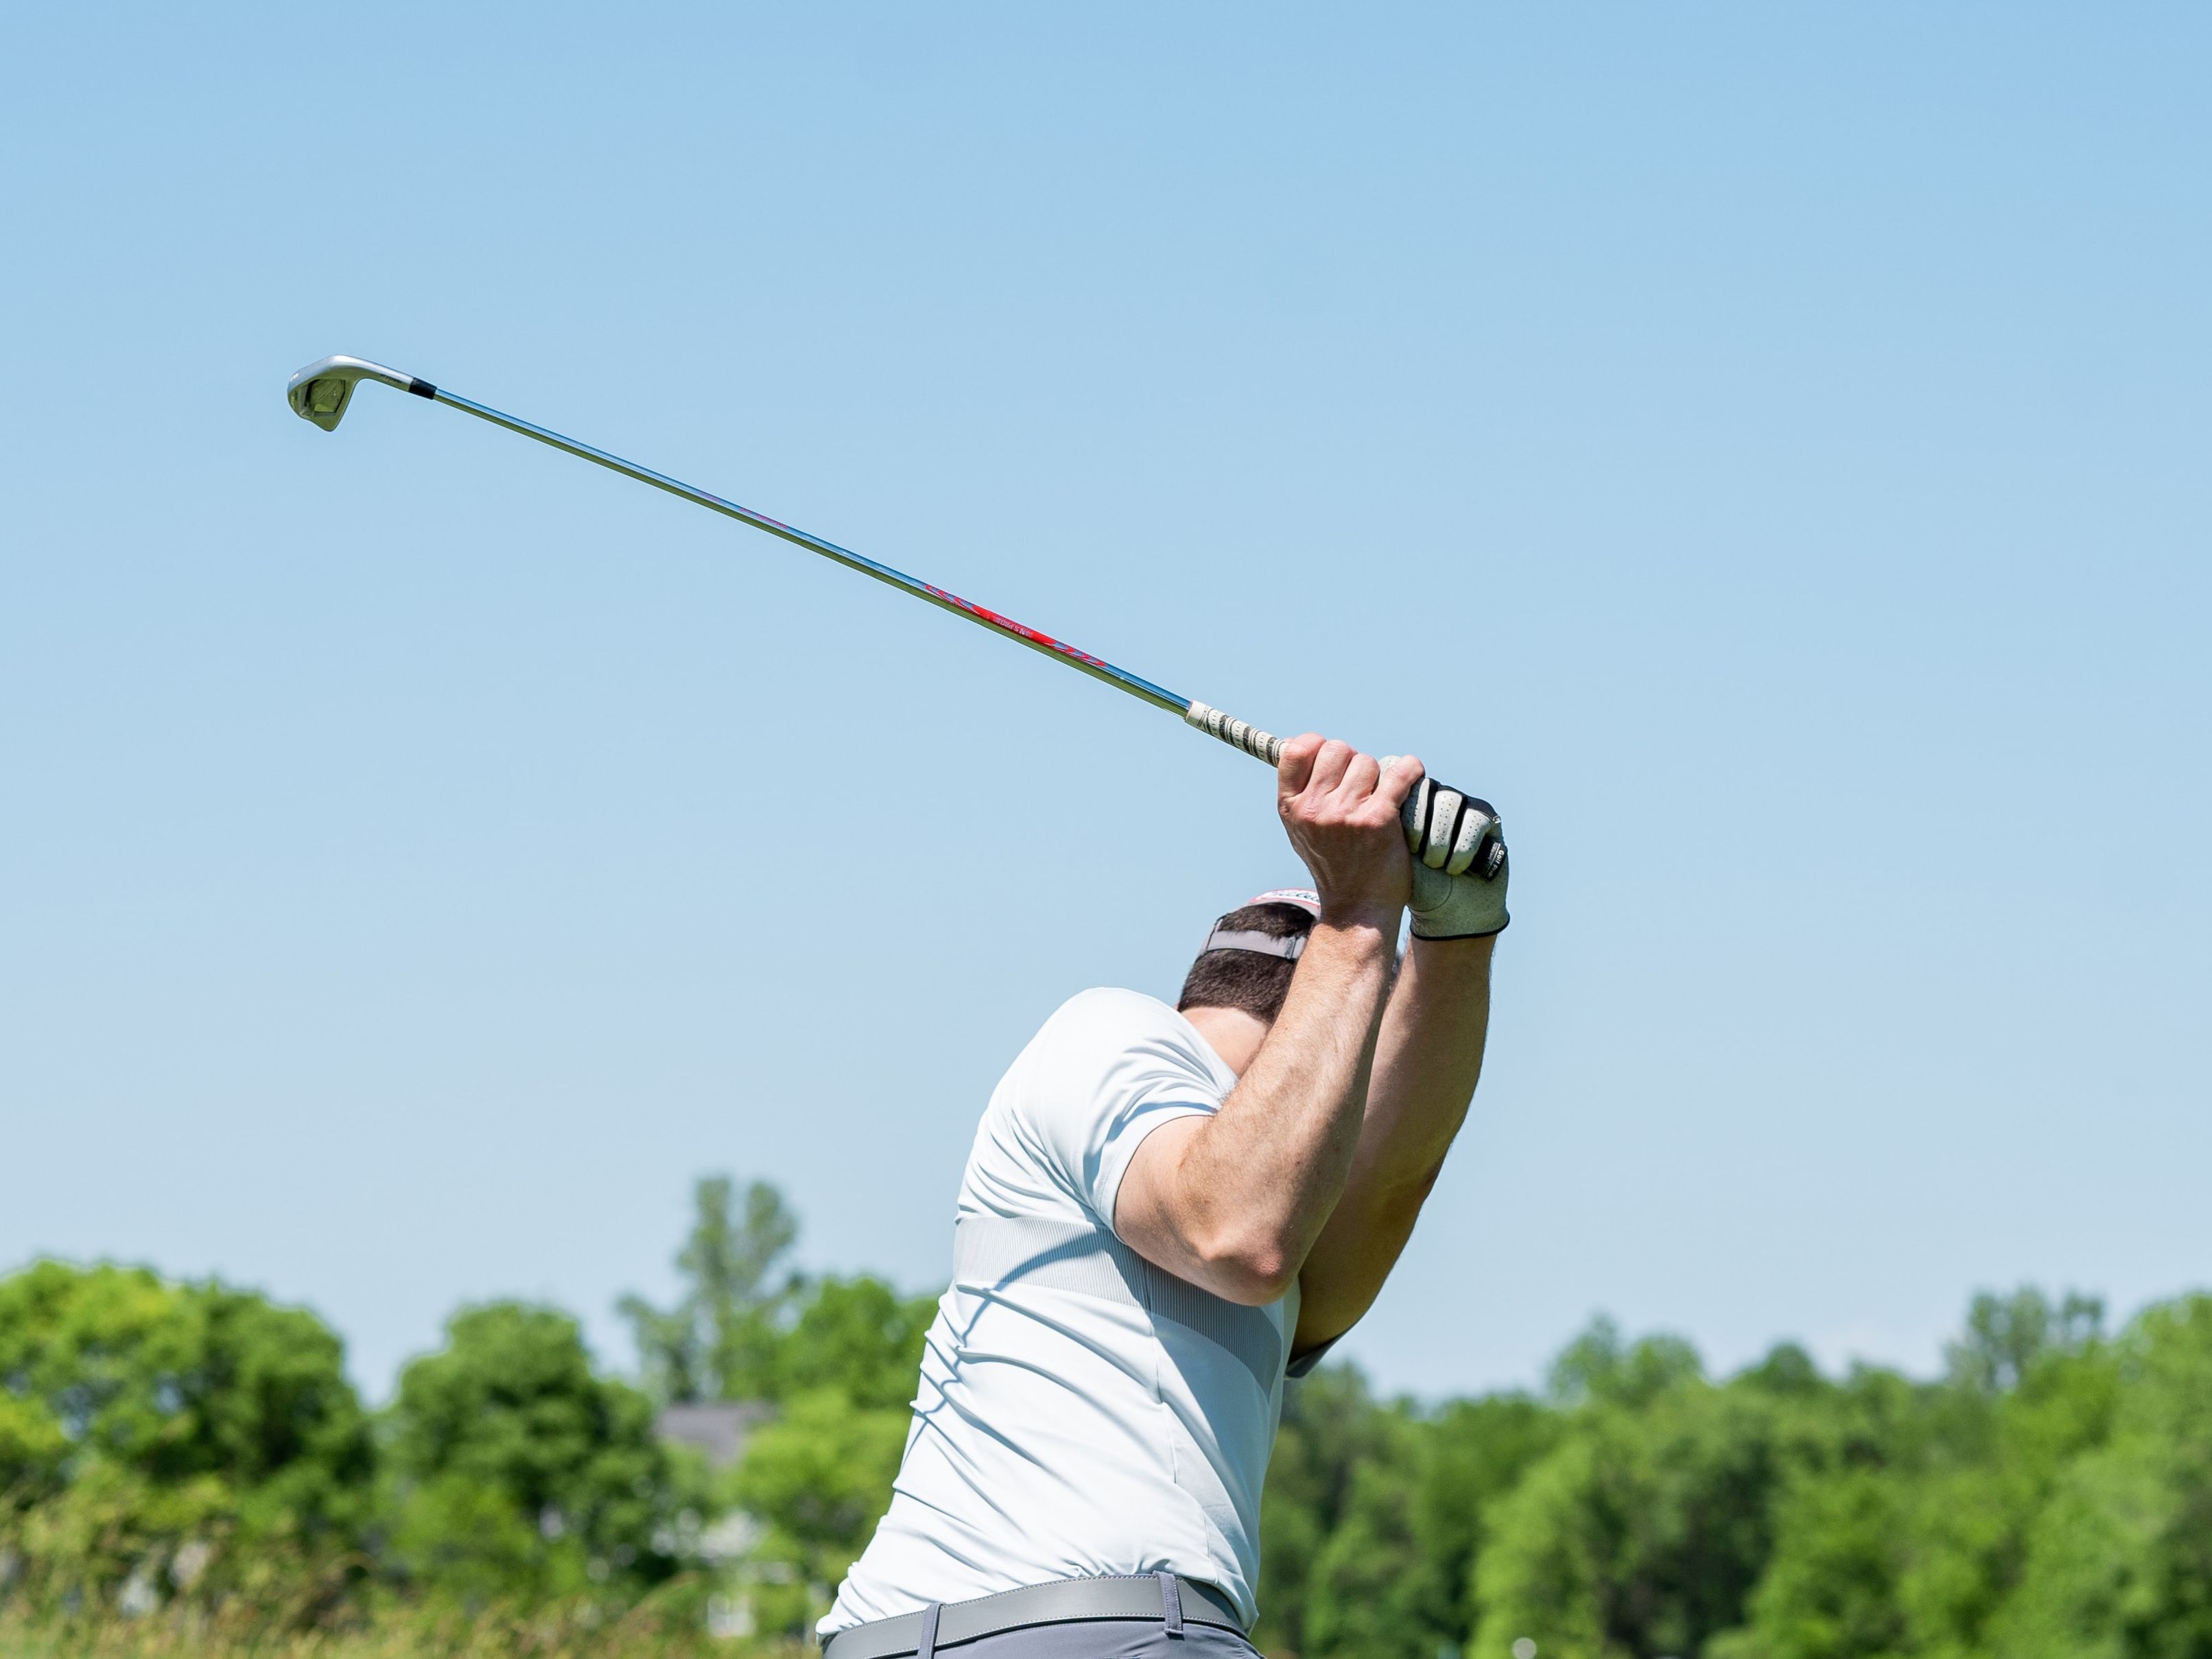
pixel 1167 1213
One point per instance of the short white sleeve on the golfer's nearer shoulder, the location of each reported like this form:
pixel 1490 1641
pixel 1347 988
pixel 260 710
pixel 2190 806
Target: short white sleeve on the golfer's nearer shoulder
pixel 1109 1070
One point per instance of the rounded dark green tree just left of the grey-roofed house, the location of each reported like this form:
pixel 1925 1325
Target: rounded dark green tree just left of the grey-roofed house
pixel 519 1472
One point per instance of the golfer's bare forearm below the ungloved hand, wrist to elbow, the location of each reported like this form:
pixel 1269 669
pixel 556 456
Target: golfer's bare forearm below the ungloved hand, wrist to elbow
pixel 1255 1185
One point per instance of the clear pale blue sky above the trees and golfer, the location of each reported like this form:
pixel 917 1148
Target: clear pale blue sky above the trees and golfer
pixel 1764 450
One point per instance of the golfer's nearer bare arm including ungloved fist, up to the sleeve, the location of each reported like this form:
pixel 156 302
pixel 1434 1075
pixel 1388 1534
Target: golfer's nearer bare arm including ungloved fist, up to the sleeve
pixel 1238 1200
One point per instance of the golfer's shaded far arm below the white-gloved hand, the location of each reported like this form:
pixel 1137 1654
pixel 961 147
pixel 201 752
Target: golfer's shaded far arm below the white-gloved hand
pixel 1428 1061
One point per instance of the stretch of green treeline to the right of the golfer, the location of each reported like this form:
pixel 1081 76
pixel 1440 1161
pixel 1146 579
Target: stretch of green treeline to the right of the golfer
pixel 2049 1496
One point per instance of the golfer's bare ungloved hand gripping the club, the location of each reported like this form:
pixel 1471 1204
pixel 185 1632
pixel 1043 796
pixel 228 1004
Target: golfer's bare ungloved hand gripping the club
pixel 1342 815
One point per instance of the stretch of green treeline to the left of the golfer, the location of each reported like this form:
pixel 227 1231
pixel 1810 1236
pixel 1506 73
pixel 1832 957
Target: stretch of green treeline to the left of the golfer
pixel 191 1446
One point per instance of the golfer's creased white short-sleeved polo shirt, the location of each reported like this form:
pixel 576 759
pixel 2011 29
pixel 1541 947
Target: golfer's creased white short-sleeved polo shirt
pixel 1081 1410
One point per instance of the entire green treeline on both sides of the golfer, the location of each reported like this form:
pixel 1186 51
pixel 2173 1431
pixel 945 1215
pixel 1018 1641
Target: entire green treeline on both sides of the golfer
pixel 194 1446
